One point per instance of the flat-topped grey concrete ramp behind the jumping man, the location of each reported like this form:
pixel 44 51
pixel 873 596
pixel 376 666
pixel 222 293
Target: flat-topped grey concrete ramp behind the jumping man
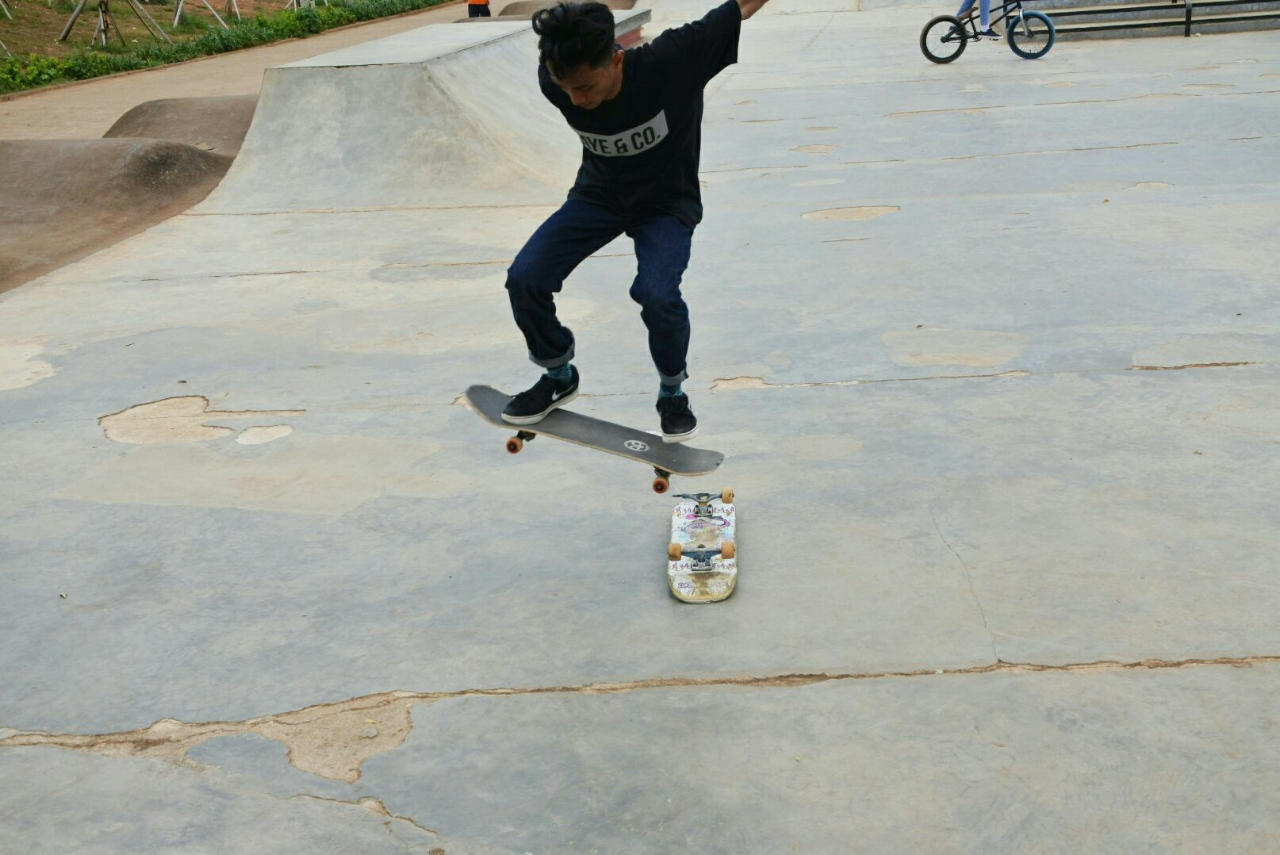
pixel 438 117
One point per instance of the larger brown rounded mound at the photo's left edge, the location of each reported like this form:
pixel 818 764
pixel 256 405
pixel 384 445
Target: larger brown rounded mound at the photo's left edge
pixel 65 199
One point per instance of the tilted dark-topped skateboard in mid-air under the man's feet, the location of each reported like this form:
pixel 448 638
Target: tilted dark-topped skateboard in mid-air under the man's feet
pixel 666 459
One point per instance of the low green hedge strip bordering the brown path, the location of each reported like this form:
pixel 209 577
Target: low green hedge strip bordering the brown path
pixel 33 71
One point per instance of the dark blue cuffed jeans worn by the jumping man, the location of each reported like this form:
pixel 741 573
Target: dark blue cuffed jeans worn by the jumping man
pixel 573 234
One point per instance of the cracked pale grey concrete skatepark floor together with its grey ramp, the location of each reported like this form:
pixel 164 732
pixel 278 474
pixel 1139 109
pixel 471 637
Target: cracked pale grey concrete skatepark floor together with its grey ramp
pixel 993 350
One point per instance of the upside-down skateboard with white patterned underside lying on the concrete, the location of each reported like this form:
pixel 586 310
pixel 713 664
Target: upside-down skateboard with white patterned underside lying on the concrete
pixel 702 559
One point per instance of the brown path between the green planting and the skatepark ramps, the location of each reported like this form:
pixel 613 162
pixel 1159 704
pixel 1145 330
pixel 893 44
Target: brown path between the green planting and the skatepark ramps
pixel 86 111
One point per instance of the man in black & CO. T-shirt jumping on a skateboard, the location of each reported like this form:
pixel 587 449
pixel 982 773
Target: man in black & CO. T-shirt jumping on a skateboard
pixel 639 116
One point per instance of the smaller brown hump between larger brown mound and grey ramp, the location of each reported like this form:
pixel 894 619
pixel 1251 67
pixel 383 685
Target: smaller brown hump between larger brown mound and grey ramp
pixel 217 124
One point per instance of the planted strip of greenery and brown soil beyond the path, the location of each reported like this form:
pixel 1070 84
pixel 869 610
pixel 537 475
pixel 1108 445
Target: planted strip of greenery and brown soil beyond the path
pixel 39 22
